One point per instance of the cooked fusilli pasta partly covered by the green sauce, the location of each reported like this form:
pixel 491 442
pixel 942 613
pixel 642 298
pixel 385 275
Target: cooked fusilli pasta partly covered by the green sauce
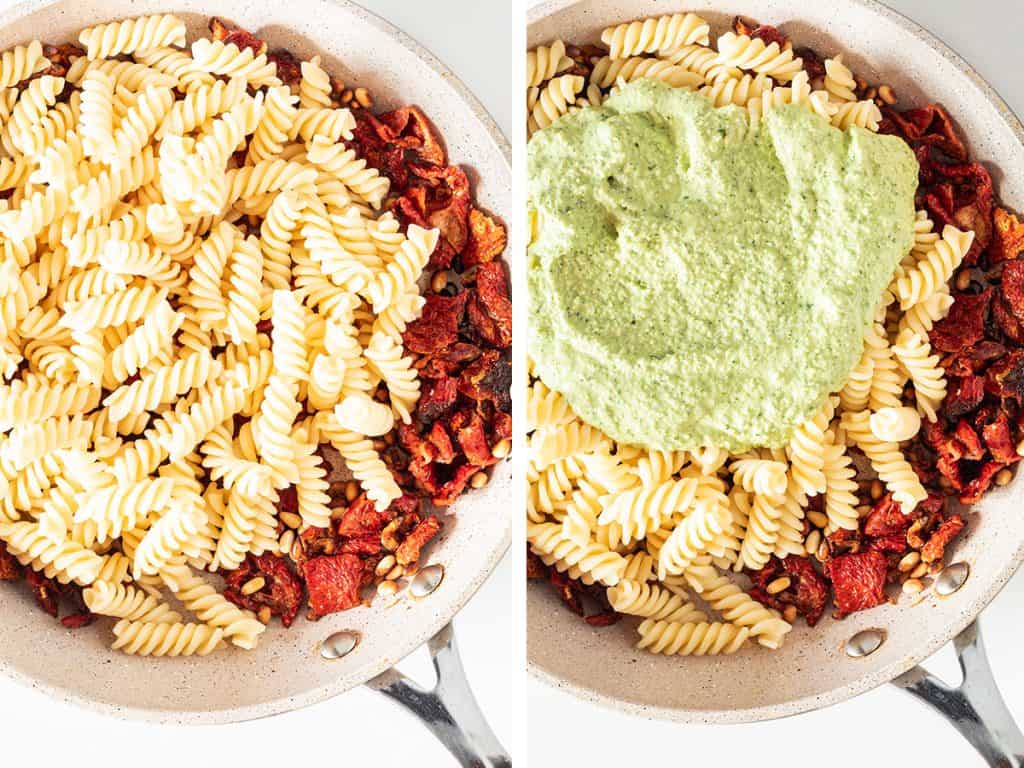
pixel 663 531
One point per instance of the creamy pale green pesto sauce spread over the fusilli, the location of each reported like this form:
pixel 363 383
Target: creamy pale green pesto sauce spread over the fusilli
pixel 696 281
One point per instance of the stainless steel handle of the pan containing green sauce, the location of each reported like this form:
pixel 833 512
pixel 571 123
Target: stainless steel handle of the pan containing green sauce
pixel 976 708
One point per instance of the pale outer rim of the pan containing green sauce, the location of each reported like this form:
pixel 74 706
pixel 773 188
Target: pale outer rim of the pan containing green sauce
pixel 932 644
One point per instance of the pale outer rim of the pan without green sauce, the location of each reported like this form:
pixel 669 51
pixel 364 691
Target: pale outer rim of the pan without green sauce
pixel 281 705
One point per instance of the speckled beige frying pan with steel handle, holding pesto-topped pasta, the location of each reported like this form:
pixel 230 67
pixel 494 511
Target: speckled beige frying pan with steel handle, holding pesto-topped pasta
pixel 814 669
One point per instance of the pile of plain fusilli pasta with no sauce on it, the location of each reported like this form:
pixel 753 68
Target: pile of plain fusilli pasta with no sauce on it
pixel 187 241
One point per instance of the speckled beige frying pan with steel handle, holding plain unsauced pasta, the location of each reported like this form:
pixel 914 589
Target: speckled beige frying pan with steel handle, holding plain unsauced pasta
pixel 288 670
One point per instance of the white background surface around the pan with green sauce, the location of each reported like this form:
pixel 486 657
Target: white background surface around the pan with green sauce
pixel 884 728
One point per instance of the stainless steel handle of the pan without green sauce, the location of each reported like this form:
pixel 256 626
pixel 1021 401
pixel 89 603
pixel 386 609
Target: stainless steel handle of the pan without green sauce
pixel 449 710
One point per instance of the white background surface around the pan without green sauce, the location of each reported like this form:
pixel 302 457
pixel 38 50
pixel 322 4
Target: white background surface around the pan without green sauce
pixel 361 729
